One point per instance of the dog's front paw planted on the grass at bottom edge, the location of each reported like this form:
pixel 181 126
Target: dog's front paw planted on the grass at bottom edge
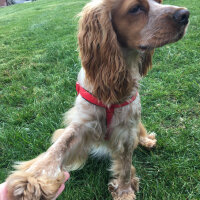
pixel 120 193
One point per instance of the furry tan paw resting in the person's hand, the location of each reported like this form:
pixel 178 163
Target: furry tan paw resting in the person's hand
pixel 24 186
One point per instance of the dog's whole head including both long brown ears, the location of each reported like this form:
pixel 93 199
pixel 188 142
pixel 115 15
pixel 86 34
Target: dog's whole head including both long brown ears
pixel 107 26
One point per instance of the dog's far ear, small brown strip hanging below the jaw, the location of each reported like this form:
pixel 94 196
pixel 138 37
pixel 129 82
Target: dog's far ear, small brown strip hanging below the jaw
pixel 146 62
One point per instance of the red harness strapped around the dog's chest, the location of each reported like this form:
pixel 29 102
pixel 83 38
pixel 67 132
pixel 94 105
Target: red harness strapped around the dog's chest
pixel 109 110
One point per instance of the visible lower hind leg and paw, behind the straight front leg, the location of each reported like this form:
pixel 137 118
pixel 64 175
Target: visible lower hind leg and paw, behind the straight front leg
pixel 145 139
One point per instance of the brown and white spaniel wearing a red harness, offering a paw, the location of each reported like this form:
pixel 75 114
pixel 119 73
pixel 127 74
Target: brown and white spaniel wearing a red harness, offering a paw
pixel 116 41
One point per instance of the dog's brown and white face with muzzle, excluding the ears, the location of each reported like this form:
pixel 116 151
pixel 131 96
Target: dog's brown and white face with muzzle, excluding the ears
pixel 147 24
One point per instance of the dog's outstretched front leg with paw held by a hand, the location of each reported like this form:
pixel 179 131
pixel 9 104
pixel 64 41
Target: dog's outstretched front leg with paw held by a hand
pixel 41 177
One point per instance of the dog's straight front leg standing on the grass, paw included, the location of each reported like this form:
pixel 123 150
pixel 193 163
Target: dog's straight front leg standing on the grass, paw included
pixel 124 184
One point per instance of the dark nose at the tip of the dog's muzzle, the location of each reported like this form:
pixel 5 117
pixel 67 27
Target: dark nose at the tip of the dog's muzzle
pixel 181 16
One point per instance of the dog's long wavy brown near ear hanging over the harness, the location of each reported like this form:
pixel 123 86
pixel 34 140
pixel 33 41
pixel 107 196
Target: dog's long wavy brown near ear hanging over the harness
pixel 101 55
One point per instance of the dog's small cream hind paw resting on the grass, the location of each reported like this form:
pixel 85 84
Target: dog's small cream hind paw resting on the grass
pixel 148 141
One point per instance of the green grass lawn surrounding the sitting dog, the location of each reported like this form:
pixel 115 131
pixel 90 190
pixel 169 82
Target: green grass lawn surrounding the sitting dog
pixel 38 68
